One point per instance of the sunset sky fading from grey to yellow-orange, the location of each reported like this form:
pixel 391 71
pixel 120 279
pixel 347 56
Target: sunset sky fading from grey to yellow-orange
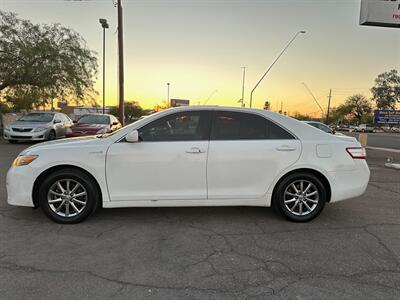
pixel 200 47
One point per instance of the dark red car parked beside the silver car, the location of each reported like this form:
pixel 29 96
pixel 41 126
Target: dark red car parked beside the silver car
pixel 92 124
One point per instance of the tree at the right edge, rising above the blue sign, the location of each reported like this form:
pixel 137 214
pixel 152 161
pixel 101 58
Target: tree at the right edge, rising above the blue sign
pixel 386 91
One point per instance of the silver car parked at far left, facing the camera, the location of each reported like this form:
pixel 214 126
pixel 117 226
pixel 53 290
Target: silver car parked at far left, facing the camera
pixel 38 126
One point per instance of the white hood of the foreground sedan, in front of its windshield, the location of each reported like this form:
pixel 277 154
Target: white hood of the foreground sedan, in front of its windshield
pixel 78 142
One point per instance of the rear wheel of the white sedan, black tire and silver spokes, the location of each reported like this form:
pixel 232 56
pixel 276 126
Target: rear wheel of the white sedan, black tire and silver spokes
pixel 296 206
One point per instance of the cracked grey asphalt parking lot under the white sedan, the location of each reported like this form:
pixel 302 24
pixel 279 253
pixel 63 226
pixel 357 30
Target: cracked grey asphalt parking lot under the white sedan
pixel 352 251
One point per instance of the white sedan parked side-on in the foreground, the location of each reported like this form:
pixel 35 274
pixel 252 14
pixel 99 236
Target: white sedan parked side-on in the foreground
pixel 192 156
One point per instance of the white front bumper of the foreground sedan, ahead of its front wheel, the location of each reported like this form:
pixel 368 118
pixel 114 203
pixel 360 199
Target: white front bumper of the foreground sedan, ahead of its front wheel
pixel 19 185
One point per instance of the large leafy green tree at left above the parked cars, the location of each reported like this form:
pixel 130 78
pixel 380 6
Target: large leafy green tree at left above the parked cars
pixel 49 58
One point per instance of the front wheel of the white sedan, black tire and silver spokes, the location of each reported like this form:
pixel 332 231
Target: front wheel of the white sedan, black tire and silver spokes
pixel 60 207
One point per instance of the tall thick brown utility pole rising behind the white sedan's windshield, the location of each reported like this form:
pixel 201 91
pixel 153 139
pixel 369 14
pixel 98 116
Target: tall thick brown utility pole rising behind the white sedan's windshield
pixel 121 110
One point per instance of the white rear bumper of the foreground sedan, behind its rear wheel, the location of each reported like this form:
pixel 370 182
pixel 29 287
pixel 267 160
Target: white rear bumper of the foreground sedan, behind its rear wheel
pixel 349 184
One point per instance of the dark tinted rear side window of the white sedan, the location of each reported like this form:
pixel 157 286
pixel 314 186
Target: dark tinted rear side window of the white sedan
pixel 243 126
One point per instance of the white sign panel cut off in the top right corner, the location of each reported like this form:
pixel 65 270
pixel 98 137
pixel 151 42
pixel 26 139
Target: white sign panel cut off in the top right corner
pixel 385 13
